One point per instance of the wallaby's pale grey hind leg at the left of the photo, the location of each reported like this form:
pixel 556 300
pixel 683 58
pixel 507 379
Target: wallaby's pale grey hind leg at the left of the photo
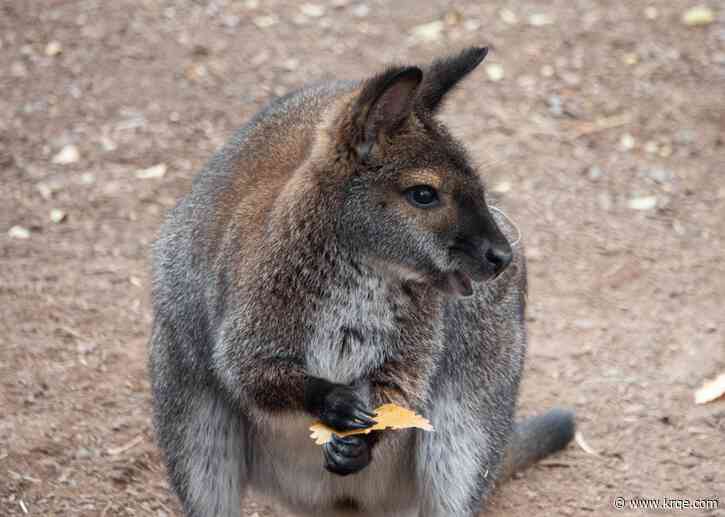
pixel 202 440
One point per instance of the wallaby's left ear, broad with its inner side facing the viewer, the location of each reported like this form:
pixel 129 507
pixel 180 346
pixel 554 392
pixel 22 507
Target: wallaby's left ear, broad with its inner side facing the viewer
pixel 384 103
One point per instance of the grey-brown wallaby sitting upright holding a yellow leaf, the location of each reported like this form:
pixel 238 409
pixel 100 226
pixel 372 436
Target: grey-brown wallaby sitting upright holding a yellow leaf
pixel 337 254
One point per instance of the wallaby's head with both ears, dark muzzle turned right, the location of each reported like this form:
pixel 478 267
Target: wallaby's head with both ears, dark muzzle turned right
pixel 412 201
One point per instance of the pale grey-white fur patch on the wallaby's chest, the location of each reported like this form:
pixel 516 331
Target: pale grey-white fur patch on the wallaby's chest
pixel 354 331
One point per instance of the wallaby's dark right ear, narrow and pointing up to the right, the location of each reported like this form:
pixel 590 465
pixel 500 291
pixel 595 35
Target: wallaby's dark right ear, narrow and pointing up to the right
pixel 445 73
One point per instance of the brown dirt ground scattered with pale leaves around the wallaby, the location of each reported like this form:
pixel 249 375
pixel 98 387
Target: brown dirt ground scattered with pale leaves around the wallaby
pixel 600 125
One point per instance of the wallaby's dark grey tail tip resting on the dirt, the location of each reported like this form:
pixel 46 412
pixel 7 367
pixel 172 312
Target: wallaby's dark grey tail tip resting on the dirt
pixel 537 437
